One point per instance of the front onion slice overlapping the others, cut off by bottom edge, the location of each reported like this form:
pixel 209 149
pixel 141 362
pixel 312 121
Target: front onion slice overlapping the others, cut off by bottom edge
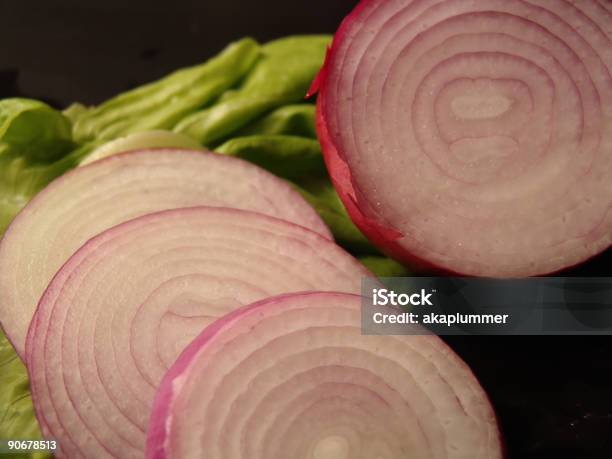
pixel 293 377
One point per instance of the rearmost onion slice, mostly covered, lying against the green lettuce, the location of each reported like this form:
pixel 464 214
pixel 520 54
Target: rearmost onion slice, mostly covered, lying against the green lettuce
pixel 89 200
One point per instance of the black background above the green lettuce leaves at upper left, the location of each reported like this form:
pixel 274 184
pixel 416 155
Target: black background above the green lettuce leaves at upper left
pixel 80 50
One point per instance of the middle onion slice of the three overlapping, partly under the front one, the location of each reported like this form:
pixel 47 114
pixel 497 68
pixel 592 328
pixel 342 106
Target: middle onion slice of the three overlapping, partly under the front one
pixel 125 305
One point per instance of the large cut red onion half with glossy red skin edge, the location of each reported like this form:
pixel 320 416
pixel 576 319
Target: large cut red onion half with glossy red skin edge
pixel 474 136
